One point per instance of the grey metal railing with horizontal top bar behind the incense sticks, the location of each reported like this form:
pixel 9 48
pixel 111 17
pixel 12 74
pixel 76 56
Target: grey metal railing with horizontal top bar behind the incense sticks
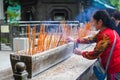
pixel 19 30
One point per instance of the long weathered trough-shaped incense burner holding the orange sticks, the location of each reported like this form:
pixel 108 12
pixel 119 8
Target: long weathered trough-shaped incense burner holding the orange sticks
pixel 40 62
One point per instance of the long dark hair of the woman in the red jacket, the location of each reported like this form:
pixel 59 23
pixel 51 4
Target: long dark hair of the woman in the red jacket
pixel 104 16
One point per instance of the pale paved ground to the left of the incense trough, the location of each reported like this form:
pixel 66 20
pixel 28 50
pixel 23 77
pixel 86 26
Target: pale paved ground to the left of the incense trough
pixel 5 66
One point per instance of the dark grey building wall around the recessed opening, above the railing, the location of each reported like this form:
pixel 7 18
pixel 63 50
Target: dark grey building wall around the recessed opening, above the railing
pixel 42 10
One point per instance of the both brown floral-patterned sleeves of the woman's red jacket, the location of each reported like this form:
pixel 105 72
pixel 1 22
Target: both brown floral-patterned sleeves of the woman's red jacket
pixel 101 45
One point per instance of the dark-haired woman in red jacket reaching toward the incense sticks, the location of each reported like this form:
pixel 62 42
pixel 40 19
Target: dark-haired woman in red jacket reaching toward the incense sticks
pixel 104 40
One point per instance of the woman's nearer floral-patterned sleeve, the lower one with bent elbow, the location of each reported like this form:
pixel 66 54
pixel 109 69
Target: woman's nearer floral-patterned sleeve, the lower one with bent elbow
pixel 98 50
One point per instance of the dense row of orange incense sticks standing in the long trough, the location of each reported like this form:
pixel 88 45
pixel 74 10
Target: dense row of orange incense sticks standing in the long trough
pixel 47 40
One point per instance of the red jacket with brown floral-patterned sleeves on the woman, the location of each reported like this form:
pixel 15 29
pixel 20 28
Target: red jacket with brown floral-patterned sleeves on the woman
pixel 104 40
